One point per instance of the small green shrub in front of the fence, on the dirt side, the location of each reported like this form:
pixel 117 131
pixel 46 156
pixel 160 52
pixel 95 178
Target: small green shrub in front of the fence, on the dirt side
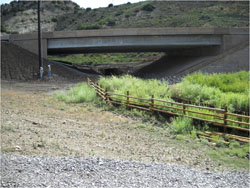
pixel 180 125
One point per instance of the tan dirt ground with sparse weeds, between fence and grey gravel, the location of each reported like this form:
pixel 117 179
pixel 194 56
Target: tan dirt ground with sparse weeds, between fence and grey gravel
pixel 33 122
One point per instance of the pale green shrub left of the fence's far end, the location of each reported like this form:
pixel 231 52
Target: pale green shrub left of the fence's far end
pixel 82 93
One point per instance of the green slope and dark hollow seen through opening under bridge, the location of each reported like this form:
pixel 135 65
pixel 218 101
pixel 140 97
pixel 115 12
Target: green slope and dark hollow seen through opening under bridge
pixel 108 63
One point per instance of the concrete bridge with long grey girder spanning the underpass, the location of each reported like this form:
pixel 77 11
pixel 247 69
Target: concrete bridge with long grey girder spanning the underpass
pixel 175 41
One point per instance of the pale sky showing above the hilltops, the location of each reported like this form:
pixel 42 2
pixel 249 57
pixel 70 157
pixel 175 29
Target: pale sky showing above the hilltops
pixel 93 3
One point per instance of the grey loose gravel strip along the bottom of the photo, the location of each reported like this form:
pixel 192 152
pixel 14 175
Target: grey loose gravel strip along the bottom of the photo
pixel 27 171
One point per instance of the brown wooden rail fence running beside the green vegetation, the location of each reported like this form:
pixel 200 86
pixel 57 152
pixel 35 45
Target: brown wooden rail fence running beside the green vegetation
pixel 213 116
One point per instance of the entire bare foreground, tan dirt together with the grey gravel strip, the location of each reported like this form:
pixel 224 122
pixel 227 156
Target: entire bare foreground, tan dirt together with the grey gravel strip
pixel 48 143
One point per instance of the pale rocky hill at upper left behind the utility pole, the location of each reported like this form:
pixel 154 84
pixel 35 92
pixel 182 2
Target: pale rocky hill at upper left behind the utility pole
pixel 21 16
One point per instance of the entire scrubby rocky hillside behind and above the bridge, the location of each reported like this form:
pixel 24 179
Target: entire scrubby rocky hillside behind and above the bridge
pixel 20 16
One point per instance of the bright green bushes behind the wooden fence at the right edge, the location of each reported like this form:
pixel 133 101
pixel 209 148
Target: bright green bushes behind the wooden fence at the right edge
pixel 198 87
